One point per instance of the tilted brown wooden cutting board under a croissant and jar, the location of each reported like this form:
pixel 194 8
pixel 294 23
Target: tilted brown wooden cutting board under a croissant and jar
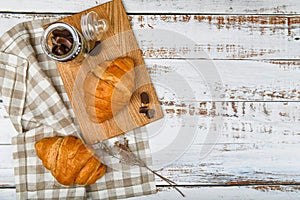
pixel 118 41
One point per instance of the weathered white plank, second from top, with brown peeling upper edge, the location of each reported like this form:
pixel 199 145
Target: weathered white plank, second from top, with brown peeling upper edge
pixel 206 36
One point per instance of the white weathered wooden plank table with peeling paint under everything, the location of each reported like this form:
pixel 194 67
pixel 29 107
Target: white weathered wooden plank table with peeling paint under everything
pixel 244 113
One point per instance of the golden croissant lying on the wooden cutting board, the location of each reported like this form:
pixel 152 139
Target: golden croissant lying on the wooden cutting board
pixel 108 88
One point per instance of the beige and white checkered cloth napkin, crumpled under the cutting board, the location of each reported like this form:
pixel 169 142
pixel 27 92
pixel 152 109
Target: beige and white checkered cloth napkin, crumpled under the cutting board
pixel 38 106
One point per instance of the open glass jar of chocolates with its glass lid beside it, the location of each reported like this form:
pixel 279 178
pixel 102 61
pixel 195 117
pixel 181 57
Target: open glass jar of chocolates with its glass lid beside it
pixel 64 43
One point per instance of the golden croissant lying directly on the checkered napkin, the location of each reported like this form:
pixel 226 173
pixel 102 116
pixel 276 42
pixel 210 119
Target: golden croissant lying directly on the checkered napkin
pixel 69 160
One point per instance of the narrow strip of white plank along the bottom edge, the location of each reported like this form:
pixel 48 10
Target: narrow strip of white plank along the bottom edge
pixel 274 192
